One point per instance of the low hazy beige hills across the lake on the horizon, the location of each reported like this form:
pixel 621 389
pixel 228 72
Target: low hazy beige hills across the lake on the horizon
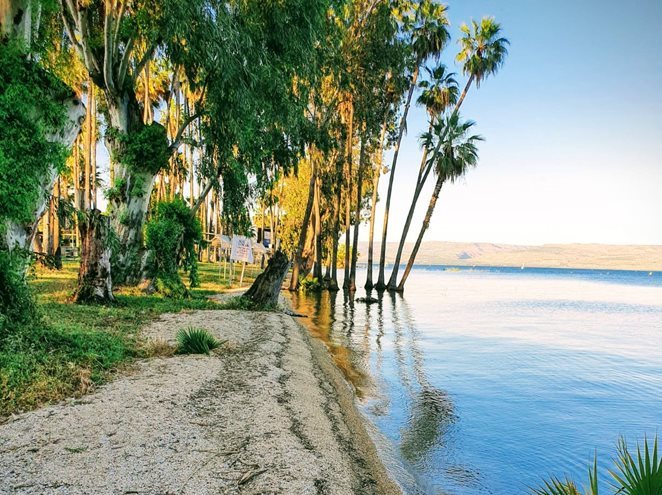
pixel 548 255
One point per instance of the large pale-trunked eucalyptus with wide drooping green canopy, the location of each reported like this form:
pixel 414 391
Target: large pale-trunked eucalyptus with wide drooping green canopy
pixel 238 55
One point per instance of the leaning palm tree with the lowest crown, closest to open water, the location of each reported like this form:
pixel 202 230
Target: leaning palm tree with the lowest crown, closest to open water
pixel 459 152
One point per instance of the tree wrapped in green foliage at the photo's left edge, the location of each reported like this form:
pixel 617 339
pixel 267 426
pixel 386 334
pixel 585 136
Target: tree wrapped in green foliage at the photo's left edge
pixel 40 117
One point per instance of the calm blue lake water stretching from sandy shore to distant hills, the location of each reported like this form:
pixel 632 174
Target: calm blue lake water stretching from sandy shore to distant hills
pixel 484 381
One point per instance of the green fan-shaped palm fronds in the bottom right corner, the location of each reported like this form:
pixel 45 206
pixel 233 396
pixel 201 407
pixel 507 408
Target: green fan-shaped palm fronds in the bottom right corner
pixel 640 475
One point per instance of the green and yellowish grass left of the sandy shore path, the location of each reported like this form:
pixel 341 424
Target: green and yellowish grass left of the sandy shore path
pixel 78 347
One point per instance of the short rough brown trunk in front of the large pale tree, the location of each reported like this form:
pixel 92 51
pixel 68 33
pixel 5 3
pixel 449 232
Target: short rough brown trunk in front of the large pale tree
pixel 94 274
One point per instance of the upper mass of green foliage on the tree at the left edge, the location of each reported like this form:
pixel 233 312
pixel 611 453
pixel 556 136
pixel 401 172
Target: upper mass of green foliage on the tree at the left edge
pixel 31 109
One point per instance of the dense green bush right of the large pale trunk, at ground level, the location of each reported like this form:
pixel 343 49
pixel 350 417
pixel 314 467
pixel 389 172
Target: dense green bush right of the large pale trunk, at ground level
pixel 172 235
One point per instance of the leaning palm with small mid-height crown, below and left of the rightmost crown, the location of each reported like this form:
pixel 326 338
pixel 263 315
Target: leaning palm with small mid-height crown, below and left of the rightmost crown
pixel 439 93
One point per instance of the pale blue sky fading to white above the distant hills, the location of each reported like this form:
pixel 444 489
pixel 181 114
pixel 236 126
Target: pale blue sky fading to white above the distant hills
pixel 572 126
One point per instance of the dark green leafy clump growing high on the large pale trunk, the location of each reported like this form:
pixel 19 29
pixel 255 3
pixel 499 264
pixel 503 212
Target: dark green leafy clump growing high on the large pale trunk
pixel 144 150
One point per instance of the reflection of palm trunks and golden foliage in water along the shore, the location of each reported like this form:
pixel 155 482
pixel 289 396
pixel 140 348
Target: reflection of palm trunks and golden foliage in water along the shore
pixel 428 409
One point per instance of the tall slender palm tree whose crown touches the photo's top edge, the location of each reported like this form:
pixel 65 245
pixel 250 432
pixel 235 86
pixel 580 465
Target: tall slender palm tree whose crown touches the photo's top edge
pixel 429 37
